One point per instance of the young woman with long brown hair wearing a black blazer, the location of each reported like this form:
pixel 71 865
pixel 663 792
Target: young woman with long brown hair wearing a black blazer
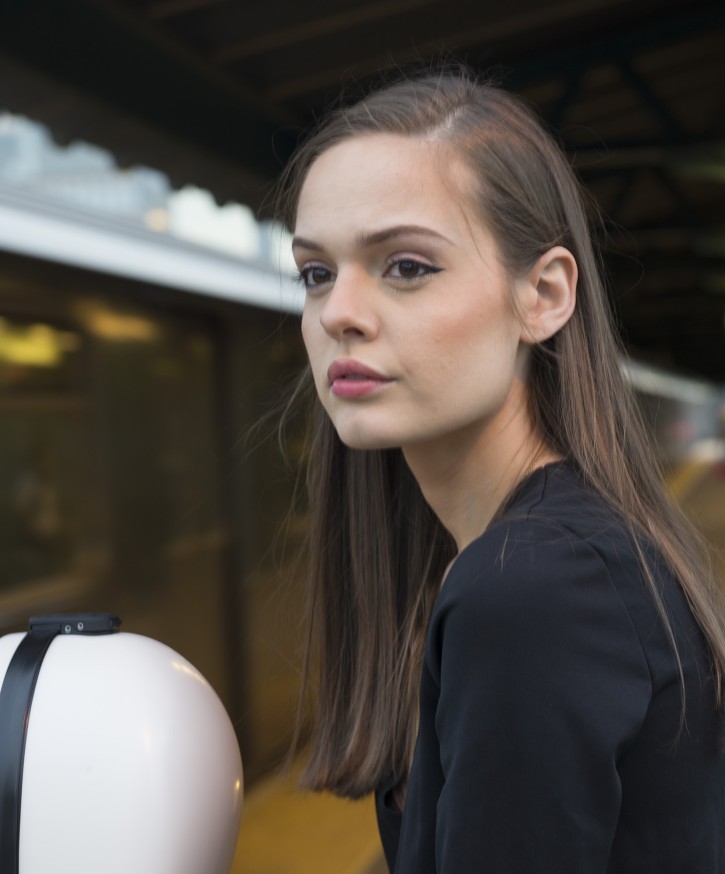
pixel 519 644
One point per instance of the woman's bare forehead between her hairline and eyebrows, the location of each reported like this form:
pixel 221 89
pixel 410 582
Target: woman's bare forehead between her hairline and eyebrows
pixel 382 178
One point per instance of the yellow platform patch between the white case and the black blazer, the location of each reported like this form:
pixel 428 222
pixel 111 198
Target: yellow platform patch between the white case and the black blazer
pixel 284 831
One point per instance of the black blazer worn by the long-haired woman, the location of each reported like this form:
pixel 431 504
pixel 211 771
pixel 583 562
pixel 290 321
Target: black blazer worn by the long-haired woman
pixel 550 739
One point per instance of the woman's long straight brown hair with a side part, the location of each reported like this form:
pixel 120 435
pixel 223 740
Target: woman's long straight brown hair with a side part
pixel 377 552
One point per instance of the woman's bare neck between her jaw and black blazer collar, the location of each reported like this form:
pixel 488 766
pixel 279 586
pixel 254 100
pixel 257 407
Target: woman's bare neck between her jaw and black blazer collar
pixel 466 476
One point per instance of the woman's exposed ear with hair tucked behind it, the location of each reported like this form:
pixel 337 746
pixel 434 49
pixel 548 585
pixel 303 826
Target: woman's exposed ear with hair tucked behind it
pixel 550 294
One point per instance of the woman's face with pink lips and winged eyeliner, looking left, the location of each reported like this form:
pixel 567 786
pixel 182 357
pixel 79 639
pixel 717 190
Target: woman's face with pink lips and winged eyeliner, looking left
pixel 408 320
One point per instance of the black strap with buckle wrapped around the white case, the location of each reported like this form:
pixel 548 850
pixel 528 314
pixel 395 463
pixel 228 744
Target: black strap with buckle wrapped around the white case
pixel 16 698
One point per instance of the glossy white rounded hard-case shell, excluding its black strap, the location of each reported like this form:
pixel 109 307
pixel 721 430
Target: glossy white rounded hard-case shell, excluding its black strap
pixel 131 763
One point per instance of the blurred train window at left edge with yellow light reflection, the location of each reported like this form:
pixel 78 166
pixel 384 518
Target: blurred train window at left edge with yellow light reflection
pixel 42 405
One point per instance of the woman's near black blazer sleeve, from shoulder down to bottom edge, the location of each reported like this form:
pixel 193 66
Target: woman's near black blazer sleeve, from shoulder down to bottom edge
pixel 542 683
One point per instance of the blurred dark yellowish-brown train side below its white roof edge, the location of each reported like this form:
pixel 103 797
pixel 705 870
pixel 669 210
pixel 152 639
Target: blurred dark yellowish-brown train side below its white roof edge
pixel 132 478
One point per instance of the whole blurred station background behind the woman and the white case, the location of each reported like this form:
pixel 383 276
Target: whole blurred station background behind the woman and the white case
pixel 147 317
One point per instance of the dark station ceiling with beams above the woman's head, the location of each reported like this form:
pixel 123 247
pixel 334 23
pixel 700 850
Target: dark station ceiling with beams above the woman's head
pixel 217 92
